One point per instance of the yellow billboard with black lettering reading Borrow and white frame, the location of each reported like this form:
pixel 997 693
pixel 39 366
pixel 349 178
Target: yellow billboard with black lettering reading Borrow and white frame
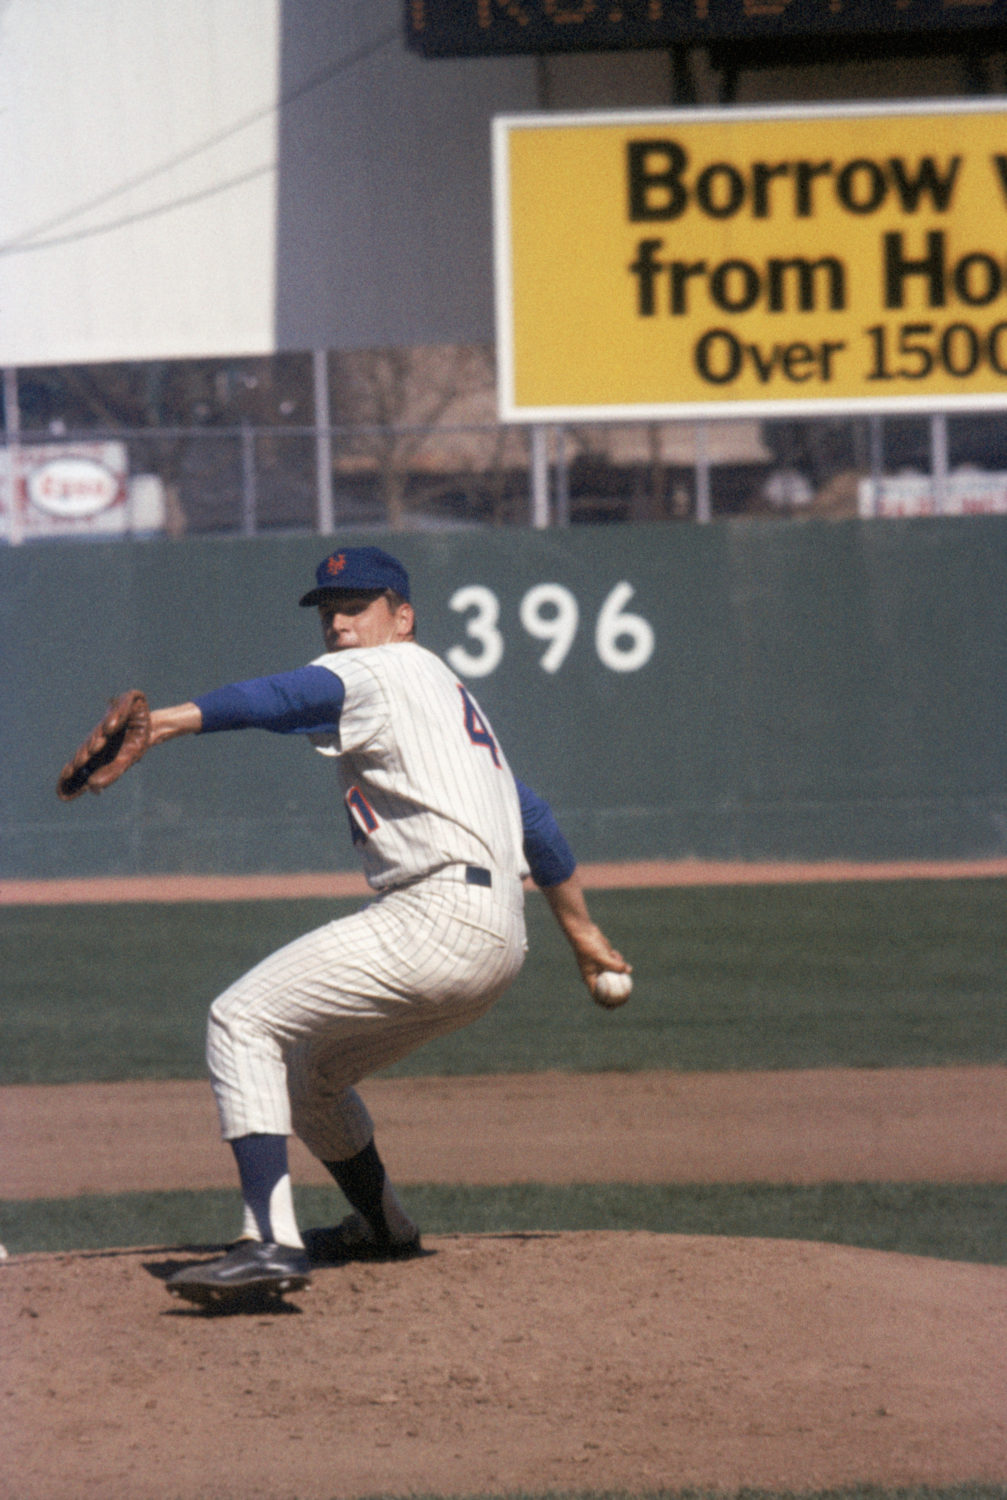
pixel 760 262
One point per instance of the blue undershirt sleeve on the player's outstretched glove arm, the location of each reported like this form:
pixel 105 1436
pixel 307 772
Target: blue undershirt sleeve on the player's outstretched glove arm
pixel 301 703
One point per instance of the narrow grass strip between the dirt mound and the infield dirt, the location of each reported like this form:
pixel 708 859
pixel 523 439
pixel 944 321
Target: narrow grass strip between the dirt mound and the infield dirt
pixel 943 1220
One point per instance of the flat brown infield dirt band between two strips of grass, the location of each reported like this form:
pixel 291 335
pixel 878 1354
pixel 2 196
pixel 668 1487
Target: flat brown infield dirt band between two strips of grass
pixel 819 1126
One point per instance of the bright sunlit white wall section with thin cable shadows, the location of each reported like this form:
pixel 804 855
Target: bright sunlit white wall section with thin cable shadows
pixel 139 220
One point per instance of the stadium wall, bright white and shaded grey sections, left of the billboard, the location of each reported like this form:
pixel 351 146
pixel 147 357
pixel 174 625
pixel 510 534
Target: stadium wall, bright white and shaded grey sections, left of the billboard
pixel 239 176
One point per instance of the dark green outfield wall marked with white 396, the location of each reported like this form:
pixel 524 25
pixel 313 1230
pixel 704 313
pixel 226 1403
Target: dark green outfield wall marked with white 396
pixel 738 691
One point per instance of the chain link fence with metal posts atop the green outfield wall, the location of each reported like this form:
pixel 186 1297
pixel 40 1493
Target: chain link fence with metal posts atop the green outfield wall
pixel 257 479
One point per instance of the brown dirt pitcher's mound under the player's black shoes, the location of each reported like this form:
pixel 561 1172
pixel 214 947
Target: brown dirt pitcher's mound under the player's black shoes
pixel 508 1363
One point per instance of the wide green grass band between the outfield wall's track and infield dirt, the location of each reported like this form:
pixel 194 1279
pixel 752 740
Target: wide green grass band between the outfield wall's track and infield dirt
pixel 855 974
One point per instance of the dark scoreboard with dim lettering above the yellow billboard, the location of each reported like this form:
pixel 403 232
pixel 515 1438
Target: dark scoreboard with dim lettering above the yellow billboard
pixel 508 28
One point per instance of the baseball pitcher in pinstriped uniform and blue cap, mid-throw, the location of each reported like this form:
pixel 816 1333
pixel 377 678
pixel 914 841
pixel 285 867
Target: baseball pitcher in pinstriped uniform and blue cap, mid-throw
pixel 446 835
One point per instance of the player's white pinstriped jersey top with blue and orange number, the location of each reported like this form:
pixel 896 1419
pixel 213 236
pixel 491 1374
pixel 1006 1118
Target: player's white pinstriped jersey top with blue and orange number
pixel 424 778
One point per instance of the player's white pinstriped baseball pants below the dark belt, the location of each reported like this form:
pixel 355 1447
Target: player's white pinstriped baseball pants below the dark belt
pixel 289 1040
